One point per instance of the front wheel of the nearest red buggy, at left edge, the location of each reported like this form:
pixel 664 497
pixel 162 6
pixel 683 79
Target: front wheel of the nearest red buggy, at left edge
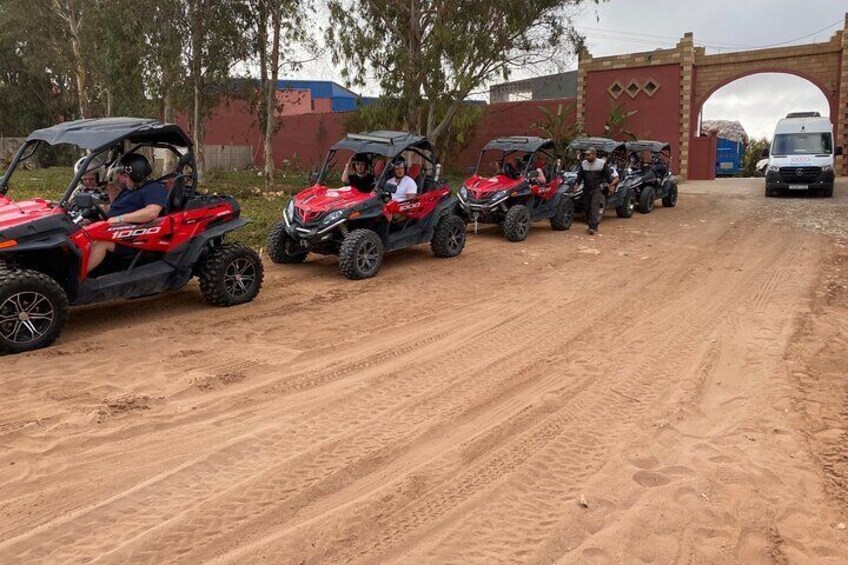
pixel 33 310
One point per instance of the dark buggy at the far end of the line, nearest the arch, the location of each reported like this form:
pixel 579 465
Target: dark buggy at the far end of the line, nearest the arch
pixel 653 179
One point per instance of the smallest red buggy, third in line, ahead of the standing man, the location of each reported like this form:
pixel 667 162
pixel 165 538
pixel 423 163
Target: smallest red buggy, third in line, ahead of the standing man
pixel 514 197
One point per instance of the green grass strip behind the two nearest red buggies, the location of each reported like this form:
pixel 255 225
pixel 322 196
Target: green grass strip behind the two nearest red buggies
pixel 263 208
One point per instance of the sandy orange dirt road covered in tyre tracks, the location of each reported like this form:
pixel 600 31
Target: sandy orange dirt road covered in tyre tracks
pixel 671 391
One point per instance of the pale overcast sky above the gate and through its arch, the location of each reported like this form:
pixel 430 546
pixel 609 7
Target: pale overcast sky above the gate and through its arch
pixel 624 26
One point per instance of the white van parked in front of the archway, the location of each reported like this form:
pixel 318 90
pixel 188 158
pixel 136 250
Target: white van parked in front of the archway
pixel 802 155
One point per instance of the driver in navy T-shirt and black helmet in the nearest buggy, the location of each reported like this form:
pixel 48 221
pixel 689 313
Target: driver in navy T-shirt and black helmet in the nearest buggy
pixel 136 200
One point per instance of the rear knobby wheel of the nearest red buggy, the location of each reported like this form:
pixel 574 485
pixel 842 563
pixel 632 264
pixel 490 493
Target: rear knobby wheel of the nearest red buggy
pixel 231 274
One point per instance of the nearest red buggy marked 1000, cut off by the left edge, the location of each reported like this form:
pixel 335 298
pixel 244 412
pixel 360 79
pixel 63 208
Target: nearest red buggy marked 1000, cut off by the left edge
pixel 45 246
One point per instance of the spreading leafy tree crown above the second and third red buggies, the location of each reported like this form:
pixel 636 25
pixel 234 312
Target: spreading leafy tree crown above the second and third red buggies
pixel 432 54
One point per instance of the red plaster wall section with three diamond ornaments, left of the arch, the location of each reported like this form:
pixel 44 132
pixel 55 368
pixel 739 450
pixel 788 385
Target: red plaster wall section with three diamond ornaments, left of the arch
pixel 657 117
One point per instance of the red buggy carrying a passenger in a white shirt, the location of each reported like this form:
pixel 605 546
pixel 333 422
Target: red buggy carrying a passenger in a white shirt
pixel 360 226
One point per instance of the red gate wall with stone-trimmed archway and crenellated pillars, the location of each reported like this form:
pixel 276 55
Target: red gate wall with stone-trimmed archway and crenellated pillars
pixel 667 88
